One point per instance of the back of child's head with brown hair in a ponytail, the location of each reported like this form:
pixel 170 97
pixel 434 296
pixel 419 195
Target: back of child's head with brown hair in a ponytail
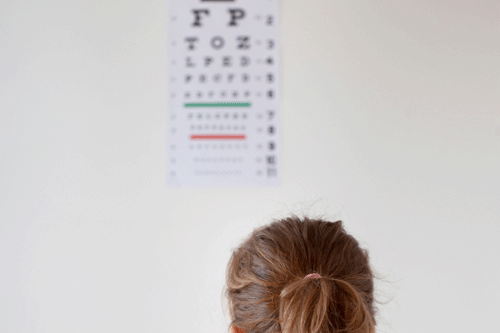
pixel 268 291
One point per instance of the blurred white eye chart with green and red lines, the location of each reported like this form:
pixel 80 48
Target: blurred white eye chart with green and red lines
pixel 223 117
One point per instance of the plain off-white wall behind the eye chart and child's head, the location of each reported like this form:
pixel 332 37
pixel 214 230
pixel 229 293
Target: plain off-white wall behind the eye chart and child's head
pixel 391 121
